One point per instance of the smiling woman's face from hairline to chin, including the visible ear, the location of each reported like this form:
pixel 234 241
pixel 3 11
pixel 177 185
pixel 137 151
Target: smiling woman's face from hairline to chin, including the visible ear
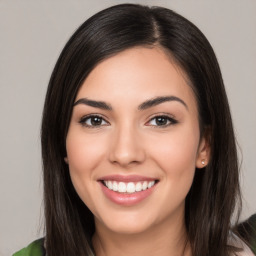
pixel 133 143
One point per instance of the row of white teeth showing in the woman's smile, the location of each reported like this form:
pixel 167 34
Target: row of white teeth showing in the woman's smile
pixel 129 187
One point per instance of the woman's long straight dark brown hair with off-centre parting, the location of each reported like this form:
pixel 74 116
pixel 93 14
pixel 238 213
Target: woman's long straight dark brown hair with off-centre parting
pixel 215 190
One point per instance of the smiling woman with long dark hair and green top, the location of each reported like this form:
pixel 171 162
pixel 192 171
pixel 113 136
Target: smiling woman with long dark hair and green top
pixel 138 147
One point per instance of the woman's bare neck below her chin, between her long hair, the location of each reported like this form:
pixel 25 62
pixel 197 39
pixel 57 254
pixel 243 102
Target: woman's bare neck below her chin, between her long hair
pixel 159 240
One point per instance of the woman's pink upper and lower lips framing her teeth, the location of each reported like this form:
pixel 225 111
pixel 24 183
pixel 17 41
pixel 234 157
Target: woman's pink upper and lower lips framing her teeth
pixel 126 199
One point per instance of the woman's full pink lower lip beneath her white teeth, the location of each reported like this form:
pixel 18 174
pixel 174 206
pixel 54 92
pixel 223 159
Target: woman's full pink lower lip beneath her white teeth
pixel 126 199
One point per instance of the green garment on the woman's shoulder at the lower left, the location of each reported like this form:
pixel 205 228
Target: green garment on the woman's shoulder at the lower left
pixel 34 249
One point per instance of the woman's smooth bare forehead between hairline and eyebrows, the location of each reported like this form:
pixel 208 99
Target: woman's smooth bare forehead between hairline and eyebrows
pixel 135 75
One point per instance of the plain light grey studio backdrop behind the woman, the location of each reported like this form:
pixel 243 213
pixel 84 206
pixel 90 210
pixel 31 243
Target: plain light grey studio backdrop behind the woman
pixel 32 34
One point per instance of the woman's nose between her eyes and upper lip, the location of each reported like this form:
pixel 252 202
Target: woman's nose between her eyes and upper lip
pixel 126 148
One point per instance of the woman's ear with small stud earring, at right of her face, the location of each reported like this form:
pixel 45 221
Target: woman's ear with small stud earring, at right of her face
pixel 204 151
